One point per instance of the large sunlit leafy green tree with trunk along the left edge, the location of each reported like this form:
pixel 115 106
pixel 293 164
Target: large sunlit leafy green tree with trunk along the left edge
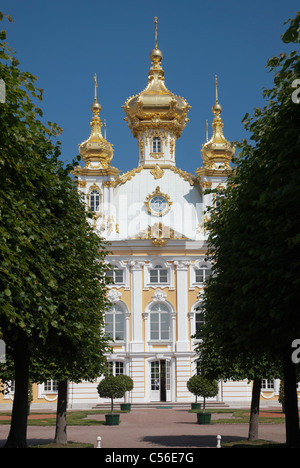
pixel 51 261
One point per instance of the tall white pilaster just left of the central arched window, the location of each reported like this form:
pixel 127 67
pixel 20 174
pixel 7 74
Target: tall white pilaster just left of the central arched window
pixel 137 343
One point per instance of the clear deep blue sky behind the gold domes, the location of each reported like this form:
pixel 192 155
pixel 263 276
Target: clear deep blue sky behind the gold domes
pixel 64 43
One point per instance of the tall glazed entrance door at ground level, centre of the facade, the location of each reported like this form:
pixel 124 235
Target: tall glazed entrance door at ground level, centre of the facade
pixel 160 380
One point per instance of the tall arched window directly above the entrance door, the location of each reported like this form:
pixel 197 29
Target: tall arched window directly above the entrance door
pixel 159 322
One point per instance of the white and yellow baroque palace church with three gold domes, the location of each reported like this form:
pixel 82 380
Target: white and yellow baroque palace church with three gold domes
pixel 154 219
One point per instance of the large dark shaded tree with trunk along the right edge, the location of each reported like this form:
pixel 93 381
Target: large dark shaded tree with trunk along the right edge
pixel 254 235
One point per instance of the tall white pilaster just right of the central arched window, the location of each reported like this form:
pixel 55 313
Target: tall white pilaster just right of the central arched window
pixel 183 342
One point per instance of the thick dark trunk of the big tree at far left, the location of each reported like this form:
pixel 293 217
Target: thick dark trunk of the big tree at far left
pixel 18 428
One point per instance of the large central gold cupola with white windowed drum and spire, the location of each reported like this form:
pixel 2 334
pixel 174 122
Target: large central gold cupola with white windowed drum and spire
pixel 156 113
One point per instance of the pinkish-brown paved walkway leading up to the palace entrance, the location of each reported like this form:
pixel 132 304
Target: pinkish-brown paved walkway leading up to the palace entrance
pixel 153 429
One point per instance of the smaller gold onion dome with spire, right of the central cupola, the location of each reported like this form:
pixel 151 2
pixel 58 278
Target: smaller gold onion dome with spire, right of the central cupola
pixel 217 149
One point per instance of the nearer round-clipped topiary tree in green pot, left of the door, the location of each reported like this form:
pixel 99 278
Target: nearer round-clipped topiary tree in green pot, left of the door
pixel 112 387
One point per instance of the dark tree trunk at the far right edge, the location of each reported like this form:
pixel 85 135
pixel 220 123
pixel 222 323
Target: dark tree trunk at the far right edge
pixel 291 403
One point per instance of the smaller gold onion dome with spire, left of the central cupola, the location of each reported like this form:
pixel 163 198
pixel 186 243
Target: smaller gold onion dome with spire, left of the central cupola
pixel 96 148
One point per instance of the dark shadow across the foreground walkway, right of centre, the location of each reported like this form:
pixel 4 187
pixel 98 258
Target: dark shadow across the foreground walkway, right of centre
pixel 189 440
